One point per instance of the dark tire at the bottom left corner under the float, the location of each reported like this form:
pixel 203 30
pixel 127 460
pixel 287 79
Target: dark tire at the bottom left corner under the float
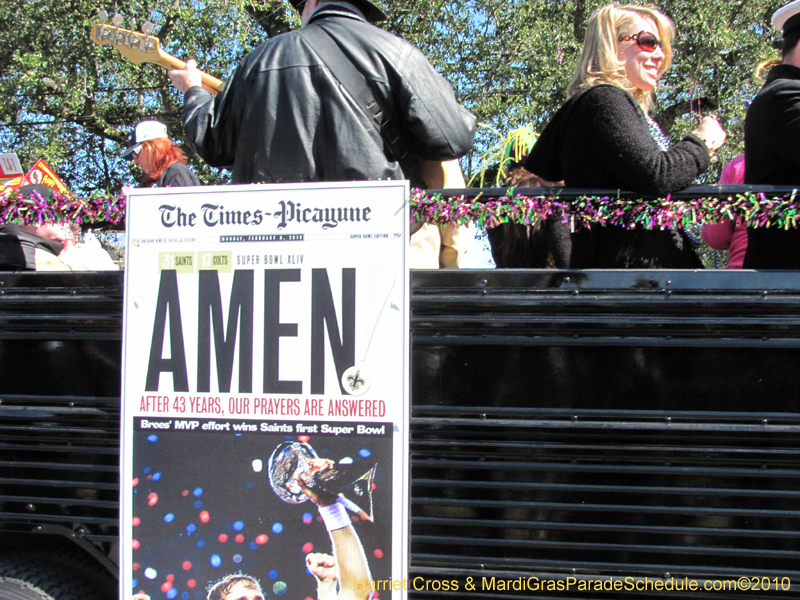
pixel 26 578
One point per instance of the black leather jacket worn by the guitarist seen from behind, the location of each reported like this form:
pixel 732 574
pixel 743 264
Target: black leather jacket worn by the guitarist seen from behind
pixel 283 117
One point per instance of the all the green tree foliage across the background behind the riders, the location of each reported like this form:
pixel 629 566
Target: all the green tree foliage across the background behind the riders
pixel 64 99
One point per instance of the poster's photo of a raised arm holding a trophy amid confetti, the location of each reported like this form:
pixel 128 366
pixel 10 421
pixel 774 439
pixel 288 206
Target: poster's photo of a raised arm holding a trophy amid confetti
pixel 263 514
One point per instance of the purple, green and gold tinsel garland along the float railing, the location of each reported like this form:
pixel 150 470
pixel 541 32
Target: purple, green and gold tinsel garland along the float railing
pixel 752 209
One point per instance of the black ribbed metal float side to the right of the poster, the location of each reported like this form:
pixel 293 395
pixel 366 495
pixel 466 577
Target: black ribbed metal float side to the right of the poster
pixel 617 427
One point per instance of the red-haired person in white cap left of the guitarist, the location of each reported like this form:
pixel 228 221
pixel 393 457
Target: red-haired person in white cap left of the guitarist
pixel 162 161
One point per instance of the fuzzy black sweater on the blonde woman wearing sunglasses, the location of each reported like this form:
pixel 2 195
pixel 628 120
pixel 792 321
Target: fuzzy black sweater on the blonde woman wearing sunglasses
pixel 600 138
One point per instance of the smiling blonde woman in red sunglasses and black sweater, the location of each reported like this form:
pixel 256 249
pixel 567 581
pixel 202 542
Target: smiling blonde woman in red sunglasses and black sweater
pixel 603 137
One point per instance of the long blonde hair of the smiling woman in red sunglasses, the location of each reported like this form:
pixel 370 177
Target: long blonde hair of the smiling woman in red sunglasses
pixel 599 61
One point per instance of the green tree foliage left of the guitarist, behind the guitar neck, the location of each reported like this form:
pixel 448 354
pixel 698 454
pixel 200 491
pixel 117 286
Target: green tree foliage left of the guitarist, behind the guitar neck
pixel 73 103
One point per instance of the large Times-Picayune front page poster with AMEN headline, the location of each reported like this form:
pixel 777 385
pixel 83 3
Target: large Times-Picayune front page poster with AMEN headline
pixel 265 392
